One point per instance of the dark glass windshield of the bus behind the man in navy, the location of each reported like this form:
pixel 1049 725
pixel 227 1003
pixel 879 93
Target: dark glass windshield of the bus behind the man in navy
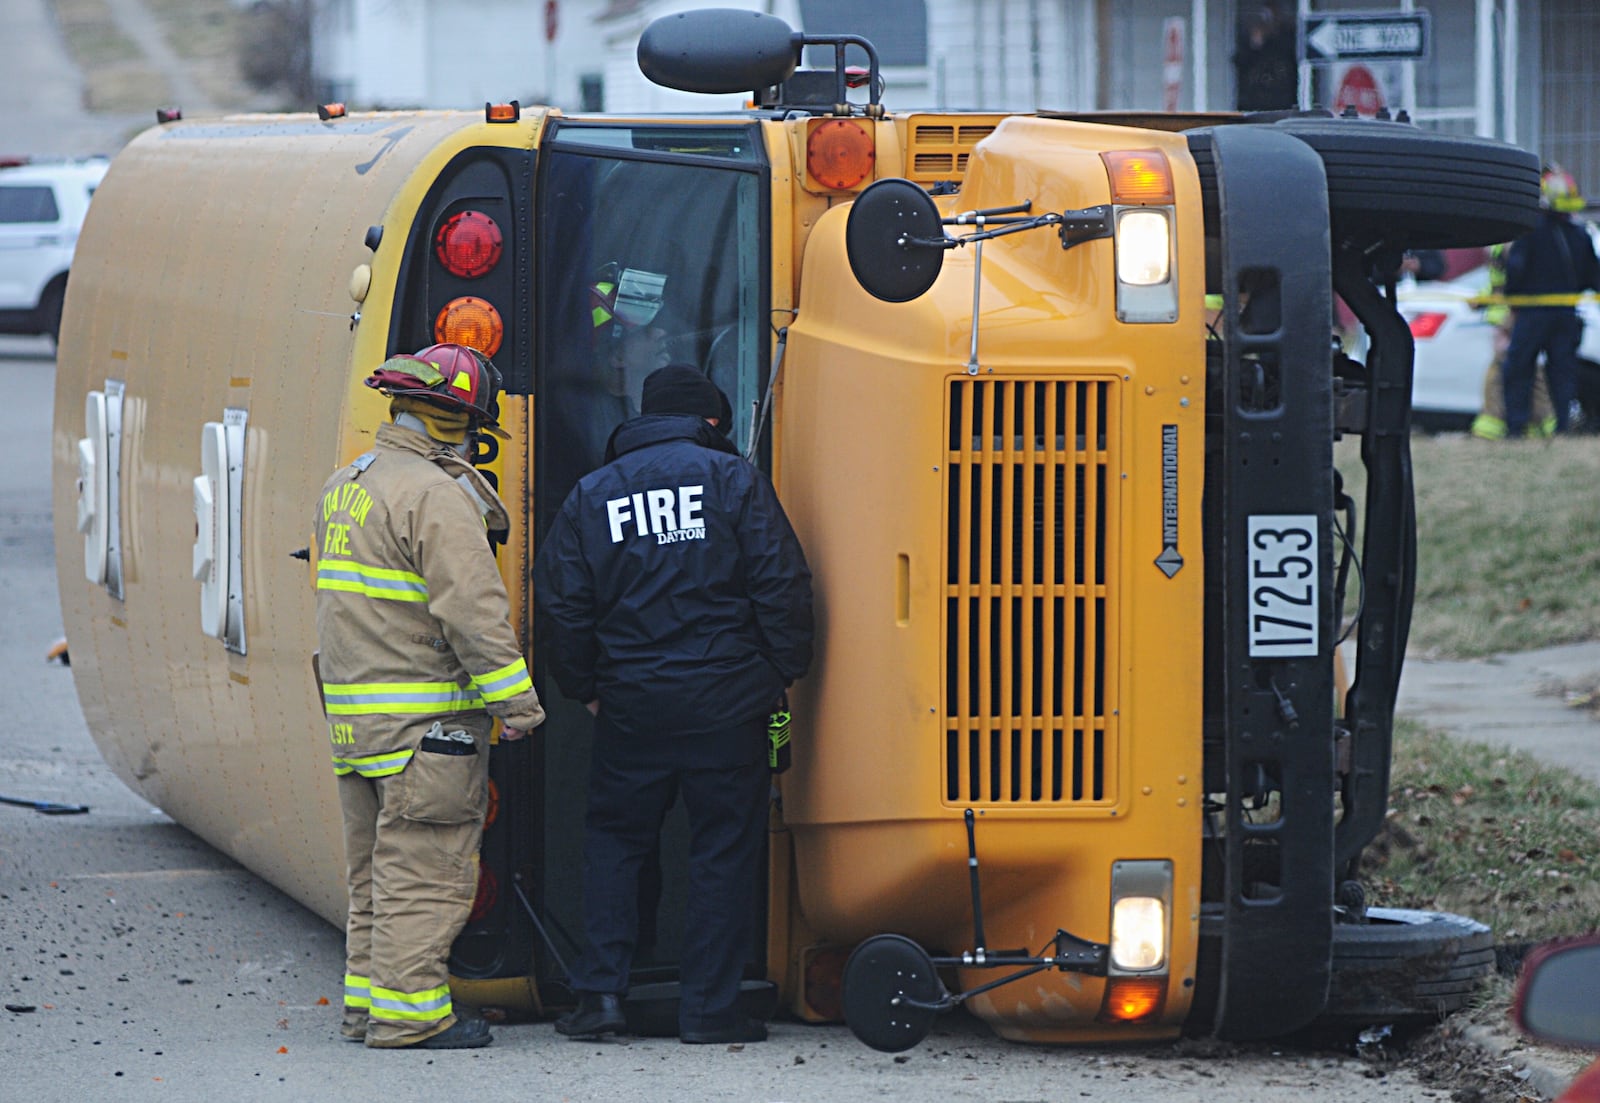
pixel 650 252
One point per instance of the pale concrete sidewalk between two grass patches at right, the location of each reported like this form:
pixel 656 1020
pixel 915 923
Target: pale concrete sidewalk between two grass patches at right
pixel 1511 700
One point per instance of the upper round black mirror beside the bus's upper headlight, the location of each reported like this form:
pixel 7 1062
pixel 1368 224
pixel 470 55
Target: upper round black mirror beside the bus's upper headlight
pixel 895 241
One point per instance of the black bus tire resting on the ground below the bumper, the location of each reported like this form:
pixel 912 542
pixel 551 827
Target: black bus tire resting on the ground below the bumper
pixel 1406 968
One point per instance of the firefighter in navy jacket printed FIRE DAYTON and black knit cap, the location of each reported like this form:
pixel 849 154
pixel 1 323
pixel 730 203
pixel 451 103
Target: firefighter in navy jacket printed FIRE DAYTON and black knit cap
pixel 681 611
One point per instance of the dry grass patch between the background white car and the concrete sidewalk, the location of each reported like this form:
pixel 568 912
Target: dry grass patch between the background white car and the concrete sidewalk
pixel 1508 543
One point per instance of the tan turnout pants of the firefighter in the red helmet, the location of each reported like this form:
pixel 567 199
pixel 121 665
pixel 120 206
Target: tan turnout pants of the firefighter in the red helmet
pixel 410 843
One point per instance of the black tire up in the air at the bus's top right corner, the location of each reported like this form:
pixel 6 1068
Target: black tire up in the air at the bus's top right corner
pixel 1410 188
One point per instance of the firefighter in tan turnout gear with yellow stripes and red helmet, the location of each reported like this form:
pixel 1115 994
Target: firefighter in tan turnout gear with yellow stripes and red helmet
pixel 417 656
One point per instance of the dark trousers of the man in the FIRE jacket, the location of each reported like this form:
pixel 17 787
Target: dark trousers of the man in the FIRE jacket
pixel 631 787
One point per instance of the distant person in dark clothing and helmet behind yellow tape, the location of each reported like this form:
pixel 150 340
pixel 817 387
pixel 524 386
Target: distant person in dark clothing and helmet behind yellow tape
pixel 1548 270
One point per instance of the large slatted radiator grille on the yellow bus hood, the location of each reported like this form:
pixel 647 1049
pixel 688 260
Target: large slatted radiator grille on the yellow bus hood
pixel 1033 489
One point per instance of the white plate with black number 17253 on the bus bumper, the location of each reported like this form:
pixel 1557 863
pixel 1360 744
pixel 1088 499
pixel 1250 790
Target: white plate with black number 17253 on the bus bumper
pixel 1282 585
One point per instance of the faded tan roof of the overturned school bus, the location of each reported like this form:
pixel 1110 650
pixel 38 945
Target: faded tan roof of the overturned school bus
pixel 217 275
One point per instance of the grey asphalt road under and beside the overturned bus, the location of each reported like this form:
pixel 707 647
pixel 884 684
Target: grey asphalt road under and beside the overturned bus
pixel 140 963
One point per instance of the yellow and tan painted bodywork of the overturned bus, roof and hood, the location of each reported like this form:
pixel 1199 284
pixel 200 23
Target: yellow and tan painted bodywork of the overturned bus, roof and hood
pixel 215 275
